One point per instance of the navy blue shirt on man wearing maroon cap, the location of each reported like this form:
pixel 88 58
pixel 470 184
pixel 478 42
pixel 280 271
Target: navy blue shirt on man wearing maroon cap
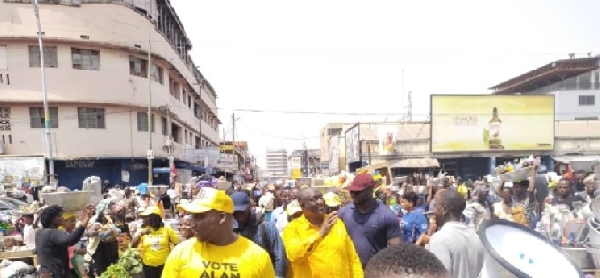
pixel 371 230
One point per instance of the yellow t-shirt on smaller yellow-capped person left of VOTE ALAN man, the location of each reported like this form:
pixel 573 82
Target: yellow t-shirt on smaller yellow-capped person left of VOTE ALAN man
pixel 156 246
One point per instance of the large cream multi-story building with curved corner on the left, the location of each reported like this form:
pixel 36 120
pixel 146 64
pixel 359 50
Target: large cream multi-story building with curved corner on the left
pixel 100 82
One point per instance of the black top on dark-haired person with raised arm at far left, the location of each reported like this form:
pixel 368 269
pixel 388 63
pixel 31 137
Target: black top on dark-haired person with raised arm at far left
pixel 51 249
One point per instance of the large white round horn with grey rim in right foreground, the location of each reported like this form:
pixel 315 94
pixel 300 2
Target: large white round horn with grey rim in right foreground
pixel 522 253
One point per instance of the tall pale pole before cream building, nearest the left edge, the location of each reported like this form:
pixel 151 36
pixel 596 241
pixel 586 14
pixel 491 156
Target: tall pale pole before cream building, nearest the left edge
pixel 47 134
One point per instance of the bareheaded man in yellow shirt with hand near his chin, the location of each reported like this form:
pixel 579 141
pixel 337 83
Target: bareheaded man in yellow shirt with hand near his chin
pixel 317 245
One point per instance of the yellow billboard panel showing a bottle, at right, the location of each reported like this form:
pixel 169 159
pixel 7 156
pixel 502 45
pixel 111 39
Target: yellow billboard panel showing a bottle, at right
pixel 492 123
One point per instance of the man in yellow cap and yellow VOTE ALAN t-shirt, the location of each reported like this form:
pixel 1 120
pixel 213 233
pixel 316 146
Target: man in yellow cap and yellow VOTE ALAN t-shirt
pixel 216 251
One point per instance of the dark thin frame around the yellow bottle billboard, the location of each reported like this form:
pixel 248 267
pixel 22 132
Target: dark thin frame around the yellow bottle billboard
pixel 492 152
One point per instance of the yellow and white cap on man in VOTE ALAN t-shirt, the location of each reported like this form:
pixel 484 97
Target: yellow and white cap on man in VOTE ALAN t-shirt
pixel 209 199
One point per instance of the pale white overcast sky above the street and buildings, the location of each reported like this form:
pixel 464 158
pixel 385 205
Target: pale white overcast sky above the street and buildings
pixel 355 61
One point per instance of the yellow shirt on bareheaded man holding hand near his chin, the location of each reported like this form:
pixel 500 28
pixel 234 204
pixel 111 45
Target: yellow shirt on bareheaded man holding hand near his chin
pixel 311 256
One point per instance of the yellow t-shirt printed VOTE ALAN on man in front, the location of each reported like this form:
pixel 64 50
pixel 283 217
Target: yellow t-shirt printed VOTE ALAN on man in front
pixel 242 259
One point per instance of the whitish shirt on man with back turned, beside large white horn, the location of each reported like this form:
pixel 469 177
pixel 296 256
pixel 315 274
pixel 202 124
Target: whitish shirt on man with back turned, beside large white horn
pixel 459 248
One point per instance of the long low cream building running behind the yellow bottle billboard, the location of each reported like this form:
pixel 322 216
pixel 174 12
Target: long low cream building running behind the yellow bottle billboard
pixel 575 137
